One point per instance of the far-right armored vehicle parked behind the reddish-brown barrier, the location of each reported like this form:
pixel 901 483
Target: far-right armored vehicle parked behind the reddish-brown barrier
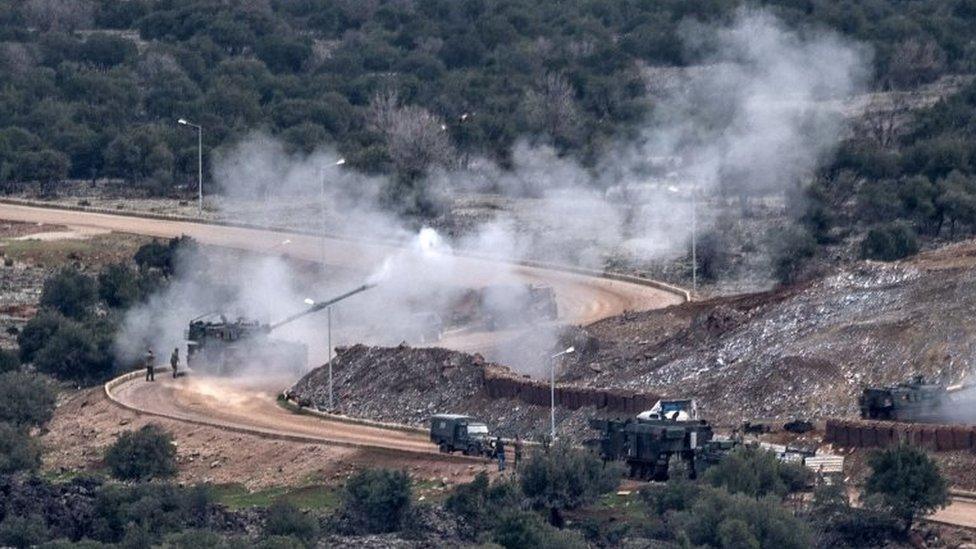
pixel 914 400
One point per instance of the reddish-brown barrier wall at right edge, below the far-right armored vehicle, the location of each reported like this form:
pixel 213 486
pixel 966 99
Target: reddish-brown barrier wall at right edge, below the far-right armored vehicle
pixel 882 434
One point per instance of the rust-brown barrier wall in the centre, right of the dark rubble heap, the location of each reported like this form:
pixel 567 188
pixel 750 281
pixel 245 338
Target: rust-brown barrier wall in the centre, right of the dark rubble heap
pixel 499 384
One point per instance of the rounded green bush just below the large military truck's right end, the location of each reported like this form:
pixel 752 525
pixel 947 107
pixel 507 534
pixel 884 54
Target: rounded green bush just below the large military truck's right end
pixel 756 473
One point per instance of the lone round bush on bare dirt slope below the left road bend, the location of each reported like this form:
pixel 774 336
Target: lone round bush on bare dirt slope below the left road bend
pixel 142 455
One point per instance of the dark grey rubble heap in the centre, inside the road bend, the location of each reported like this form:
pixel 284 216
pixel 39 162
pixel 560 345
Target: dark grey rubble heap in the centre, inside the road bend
pixel 407 385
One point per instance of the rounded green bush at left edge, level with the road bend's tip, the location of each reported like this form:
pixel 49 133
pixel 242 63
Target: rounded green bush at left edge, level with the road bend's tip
pixel 26 400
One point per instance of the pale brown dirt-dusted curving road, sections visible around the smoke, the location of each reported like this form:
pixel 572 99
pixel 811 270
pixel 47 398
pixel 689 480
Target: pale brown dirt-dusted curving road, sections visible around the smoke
pixel 582 299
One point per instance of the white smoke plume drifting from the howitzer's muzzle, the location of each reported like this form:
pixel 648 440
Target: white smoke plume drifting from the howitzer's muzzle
pixel 755 115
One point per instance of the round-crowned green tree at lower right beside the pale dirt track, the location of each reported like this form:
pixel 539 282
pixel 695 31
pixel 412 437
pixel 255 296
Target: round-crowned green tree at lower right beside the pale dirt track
pixel 908 482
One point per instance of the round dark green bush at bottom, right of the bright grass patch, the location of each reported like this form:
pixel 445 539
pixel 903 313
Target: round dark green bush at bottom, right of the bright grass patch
pixel 377 500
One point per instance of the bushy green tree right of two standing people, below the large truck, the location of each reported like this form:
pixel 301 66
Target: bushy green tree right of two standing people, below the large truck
pixel 566 478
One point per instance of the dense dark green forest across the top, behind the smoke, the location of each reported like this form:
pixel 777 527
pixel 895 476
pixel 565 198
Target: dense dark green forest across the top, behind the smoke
pixel 93 88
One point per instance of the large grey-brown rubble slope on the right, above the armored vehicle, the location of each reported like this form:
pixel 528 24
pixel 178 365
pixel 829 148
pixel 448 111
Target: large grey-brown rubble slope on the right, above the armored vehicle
pixel 803 351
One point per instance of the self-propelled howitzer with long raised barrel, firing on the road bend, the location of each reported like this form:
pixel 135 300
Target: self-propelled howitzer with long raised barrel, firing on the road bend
pixel 220 346
